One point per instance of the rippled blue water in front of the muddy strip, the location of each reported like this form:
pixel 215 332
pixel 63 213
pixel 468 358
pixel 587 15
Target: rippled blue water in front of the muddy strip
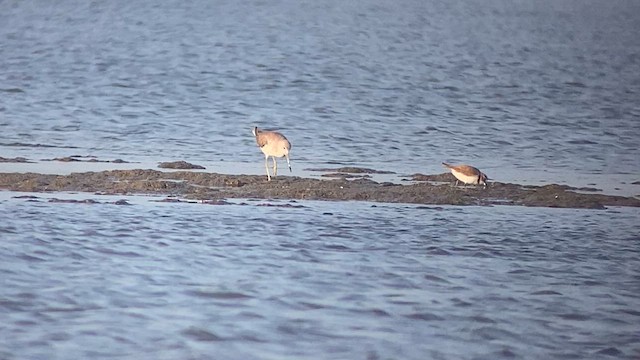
pixel 320 280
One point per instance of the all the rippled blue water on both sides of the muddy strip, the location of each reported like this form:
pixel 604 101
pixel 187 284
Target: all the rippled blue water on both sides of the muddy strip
pixel 542 91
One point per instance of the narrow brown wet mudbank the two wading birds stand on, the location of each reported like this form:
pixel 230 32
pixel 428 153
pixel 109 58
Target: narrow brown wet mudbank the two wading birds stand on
pixel 434 189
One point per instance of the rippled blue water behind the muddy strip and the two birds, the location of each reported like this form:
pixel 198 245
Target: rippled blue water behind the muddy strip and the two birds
pixel 400 86
